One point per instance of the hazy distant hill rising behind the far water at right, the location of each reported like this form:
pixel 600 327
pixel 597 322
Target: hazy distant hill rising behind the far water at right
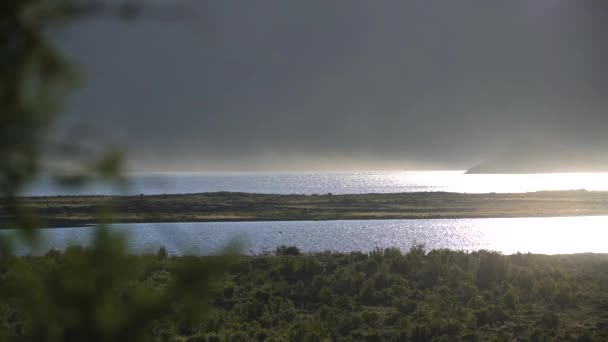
pixel 528 157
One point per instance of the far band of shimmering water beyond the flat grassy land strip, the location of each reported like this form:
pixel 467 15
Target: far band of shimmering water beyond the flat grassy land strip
pixel 336 183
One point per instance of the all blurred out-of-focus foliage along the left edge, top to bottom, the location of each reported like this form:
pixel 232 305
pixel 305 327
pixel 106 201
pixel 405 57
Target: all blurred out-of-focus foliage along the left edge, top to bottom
pixel 91 294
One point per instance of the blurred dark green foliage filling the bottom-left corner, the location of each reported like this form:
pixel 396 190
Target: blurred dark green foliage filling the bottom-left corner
pixel 96 294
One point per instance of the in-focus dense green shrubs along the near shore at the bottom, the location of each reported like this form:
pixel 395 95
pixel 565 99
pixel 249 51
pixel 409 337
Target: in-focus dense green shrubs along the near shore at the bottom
pixel 384 295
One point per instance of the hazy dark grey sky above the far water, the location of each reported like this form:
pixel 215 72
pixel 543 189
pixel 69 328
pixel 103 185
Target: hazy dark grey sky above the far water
pixel 243 85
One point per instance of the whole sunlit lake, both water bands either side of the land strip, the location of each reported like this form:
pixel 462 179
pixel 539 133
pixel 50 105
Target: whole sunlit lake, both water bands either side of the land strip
pixel 537 235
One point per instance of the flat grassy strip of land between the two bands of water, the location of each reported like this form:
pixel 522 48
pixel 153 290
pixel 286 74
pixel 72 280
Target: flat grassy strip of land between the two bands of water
pixel 69 211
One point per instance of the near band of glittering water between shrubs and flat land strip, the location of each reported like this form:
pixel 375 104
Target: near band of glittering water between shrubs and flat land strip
pixel 507 235
